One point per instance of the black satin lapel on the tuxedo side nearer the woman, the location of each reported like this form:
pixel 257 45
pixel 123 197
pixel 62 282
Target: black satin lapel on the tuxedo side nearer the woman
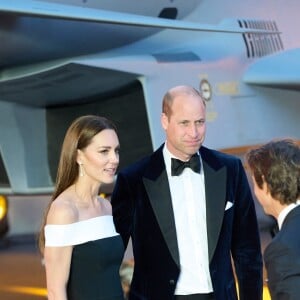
pixel 160 198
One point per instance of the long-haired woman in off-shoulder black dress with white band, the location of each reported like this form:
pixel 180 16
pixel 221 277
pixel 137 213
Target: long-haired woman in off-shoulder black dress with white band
pixel 81 249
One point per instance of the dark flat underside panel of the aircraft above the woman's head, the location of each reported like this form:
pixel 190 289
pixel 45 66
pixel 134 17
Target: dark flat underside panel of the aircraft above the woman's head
pixel 65 83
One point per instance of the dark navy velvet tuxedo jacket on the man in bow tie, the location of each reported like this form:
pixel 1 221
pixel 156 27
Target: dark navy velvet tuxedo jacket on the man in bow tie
pixel 142 209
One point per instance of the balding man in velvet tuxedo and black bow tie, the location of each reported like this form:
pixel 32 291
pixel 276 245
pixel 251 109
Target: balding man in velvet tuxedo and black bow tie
pixel 190 213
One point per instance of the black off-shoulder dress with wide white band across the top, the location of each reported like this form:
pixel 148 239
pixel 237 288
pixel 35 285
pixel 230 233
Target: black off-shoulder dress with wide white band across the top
pixel 96 257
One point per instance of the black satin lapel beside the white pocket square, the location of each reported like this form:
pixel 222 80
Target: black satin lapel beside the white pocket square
pixel 215 193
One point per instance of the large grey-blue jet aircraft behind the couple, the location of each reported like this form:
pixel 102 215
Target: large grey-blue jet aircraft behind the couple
pixel 60 59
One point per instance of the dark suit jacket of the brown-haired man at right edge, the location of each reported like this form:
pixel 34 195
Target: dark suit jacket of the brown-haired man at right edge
pixel 282 259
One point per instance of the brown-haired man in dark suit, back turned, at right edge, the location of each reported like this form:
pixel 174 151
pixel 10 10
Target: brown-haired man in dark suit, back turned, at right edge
pixel 275 169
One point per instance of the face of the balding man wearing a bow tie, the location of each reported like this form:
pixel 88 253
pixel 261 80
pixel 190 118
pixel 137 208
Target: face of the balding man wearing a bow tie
pixel 186 127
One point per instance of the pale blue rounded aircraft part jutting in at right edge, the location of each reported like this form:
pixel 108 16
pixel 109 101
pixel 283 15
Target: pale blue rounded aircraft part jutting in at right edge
pixel 279 70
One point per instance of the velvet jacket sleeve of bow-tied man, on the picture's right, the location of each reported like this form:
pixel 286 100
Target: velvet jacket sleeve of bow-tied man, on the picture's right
pixel 246 247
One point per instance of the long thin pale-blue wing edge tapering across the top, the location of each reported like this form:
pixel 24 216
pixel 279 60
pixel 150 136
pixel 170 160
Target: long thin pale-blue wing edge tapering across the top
pixel 60 11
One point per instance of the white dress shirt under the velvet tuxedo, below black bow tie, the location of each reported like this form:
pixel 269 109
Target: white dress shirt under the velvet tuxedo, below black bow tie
pixel 189 206
